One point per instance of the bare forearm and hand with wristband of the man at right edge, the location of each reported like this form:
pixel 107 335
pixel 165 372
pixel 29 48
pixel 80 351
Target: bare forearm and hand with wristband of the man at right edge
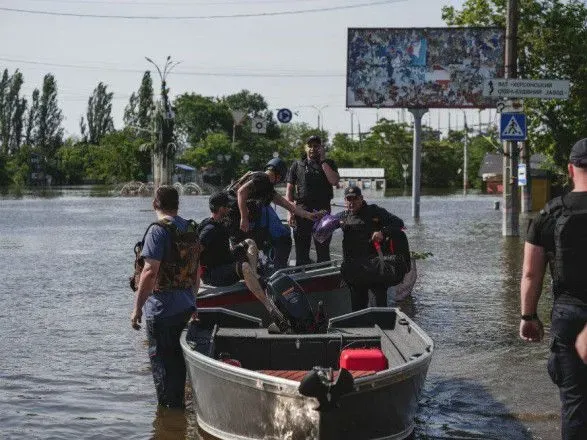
pixel 530 290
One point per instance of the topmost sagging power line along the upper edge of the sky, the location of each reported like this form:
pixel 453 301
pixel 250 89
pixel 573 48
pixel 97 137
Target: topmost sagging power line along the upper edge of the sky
pixel 201 17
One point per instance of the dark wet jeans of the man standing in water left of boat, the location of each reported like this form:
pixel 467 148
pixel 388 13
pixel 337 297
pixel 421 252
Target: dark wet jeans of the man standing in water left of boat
pixel 167 363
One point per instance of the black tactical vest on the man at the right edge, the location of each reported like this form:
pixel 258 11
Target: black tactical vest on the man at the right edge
pixel 570 249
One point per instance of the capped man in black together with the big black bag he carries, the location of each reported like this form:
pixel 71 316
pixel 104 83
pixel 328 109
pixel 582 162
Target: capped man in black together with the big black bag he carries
pixel 369 231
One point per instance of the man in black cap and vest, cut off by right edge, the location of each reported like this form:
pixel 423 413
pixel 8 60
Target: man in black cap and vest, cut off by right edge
pixel 558 236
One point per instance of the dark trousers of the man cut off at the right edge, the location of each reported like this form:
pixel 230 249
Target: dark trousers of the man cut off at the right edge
pixel 567 370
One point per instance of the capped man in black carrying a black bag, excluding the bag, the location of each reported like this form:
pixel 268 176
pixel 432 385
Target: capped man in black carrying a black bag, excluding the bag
pixel 362 226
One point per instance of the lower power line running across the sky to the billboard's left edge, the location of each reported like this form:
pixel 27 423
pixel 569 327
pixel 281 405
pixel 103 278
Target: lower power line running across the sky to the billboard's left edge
pixel 185 72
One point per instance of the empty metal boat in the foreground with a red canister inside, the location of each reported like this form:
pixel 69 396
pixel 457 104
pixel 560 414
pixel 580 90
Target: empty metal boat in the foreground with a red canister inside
pixel 250 384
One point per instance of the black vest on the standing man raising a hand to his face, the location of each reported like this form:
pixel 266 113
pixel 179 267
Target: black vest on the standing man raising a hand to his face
pixel 312 186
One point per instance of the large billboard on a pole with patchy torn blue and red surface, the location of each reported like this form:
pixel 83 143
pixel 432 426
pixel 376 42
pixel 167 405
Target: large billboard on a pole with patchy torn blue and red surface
pixel 422 67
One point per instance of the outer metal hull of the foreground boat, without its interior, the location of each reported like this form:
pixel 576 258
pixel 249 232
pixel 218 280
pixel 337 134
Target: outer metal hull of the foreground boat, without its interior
pixel 237 403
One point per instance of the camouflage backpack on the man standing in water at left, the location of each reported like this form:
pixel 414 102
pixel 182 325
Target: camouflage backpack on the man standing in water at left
pixel 179 270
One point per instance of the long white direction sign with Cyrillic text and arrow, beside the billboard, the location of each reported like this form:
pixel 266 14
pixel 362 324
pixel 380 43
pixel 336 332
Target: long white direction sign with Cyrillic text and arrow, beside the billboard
pixel 526 88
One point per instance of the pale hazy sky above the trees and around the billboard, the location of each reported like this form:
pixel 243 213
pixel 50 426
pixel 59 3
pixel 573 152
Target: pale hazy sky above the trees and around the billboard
pixel 292 52
